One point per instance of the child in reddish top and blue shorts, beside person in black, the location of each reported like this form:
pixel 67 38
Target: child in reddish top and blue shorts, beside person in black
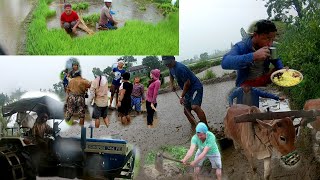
pixel 137 95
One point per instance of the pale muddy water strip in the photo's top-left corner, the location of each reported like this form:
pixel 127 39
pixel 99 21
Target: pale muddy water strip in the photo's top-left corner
pixel 12 13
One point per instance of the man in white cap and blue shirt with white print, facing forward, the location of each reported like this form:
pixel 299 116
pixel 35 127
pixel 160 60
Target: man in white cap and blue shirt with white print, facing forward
pixel 118 71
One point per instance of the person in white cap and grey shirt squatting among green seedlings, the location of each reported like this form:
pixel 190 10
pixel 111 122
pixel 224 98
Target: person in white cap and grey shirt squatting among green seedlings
pixel 106 20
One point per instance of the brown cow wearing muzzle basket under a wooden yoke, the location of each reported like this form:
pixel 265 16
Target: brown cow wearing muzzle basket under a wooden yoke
pixel 258 139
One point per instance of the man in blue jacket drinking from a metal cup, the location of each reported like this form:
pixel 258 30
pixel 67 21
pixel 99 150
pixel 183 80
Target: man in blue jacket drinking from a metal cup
pixel 251 56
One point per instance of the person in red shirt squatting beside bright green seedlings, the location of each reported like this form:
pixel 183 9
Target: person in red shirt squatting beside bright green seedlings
pixel 69 19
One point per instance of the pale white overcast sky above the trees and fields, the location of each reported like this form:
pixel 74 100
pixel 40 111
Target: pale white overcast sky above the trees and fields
pixel 205 26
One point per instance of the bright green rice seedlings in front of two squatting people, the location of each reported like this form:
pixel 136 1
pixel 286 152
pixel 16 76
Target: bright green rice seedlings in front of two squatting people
pixel 135 38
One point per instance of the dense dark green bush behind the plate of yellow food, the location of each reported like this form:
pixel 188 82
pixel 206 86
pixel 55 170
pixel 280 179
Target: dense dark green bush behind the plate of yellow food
pixel 299 49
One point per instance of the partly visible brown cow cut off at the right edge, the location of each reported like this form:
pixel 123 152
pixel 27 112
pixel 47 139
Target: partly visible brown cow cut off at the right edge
pixel 310 105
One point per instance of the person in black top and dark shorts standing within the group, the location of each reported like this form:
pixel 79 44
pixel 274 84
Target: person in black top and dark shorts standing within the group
pixel 124 102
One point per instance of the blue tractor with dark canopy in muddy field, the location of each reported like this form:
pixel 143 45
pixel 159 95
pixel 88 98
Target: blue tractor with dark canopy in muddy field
pixel 79 157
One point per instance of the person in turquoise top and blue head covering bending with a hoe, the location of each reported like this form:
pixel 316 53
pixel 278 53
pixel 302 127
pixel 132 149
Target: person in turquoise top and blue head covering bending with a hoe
pixel 207 148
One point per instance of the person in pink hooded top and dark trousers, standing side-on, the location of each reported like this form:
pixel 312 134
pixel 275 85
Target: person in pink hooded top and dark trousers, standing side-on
pixel 152 93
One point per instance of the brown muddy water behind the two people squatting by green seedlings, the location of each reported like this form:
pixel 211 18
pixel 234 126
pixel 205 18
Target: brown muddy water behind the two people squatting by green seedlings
pixel 124 10
